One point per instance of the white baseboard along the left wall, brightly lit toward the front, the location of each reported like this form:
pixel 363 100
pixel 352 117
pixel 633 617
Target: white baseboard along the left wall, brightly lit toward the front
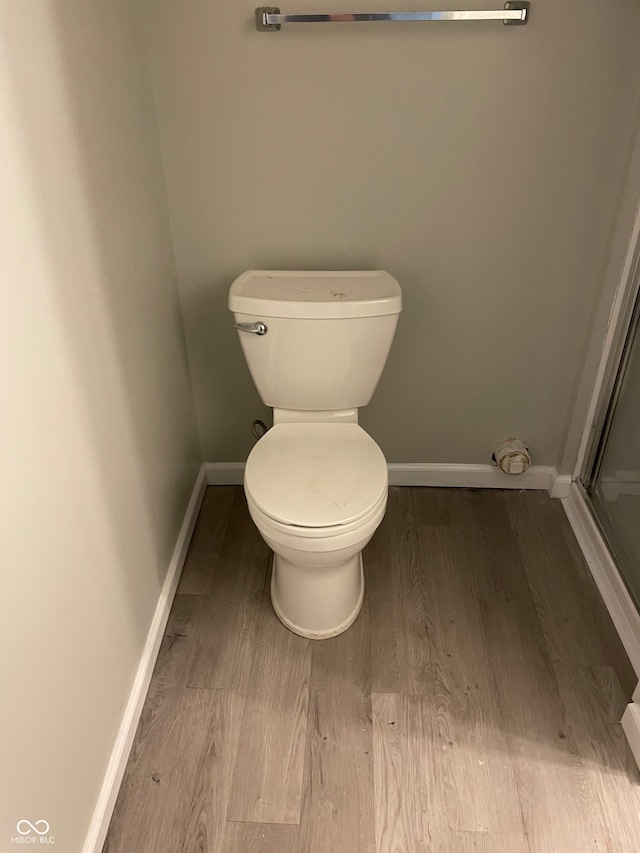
pixel 134 704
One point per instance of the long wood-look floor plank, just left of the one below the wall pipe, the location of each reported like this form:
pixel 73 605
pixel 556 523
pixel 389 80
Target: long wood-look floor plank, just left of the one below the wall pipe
pixel 472 768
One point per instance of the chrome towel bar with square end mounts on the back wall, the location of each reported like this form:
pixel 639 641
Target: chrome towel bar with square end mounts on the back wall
pixel 269 18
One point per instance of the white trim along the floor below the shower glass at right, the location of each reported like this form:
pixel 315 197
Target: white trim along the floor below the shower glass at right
pixel 622 610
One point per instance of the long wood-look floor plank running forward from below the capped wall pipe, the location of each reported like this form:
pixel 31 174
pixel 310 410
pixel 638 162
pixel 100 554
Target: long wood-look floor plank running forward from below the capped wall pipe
pixel 547 761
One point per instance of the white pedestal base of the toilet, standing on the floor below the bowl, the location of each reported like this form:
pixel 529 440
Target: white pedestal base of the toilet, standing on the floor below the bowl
pixel 317 604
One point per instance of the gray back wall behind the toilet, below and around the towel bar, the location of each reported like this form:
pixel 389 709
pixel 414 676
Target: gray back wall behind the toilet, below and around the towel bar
pixel 481 165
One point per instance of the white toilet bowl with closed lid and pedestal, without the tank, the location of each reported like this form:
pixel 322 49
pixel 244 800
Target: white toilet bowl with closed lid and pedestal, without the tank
pixel 316 493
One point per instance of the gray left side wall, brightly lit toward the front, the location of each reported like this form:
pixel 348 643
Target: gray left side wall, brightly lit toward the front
pixel 99 449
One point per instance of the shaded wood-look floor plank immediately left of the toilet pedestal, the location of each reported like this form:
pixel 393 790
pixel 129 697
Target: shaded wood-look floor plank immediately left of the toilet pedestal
pixel 225 622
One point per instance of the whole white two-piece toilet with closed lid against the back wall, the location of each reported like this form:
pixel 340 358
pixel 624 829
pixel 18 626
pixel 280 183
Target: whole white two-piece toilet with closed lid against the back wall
pixel 316 484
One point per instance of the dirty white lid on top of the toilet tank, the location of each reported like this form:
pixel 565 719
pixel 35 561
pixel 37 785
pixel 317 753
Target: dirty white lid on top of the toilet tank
pixel 315 294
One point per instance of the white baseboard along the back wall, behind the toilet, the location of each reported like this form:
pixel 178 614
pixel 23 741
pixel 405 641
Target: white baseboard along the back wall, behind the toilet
pixel 432 474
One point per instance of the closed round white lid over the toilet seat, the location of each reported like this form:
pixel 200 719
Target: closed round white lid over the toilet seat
pixel 316 475
